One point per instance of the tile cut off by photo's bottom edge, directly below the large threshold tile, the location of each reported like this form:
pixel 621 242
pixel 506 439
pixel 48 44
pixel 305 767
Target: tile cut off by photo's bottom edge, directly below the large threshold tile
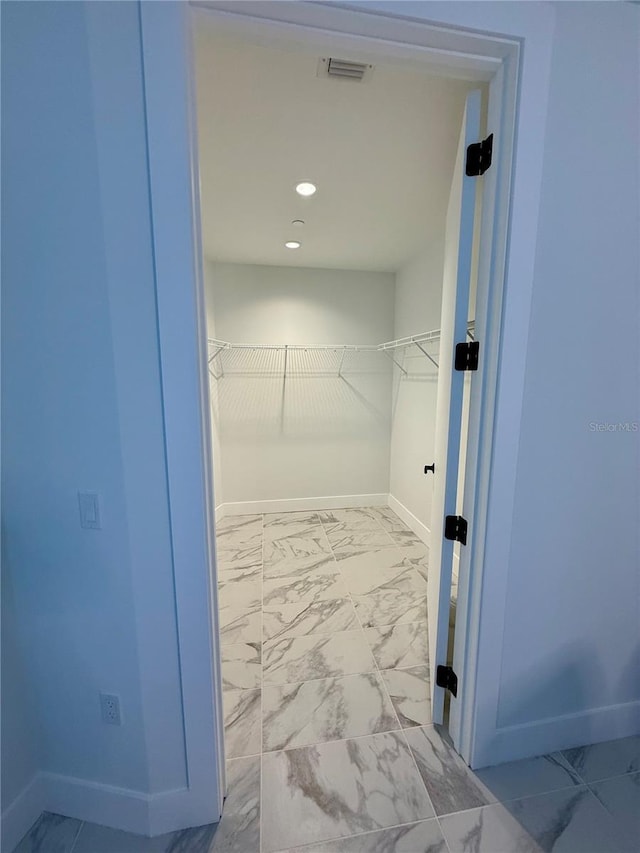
pixel 423 837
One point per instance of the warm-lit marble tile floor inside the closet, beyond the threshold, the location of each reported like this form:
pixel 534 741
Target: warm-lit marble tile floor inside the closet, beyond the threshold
pixel 324 633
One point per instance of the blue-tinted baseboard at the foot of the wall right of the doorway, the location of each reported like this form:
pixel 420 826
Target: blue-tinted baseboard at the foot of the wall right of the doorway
pixel 542 737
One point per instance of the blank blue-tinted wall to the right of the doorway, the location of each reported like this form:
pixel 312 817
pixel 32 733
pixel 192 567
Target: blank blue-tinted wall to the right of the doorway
pixel 572 629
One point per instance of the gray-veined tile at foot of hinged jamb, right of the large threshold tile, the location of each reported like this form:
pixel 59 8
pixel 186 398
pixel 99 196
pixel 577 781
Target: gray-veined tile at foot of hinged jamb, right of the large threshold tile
pixel 452 786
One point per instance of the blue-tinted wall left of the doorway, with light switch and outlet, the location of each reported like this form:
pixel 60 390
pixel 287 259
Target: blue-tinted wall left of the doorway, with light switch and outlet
pixel 90 610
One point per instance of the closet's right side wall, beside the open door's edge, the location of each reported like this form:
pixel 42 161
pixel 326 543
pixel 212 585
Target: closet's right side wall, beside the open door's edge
pixel 417 309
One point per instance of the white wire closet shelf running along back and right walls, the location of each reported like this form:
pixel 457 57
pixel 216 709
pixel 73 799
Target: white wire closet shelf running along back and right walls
pixel 226 358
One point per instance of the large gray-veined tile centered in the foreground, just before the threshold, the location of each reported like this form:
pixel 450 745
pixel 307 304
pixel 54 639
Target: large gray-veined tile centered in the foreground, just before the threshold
pixel 338 789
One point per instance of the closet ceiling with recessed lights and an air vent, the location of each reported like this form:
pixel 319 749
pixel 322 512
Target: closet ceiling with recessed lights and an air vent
pixel 381 153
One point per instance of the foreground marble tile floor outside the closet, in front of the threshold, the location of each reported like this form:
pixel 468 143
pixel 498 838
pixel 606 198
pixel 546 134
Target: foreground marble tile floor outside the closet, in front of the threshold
pixel 380 794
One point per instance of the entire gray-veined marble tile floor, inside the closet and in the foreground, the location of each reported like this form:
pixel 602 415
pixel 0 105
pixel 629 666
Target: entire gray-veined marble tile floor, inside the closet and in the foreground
pixel 328 728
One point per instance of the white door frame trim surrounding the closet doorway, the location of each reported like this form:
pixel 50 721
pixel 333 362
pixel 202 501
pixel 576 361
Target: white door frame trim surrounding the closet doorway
pixel 454 40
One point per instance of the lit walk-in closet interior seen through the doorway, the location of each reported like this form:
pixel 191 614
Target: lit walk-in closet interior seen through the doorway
pixel 324 192
